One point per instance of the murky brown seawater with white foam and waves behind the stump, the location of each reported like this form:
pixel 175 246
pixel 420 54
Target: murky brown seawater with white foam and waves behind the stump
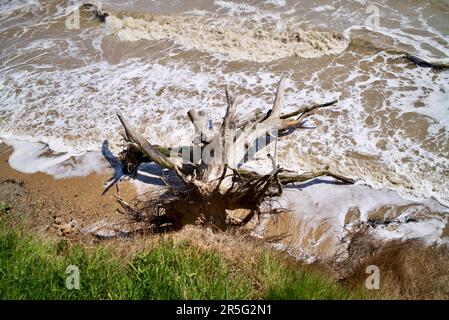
pixel 60 85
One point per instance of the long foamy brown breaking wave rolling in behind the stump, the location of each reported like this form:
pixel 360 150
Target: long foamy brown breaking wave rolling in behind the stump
pixel 229 37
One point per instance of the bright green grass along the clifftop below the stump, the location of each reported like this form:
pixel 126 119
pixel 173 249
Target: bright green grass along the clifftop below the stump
pixel 35 269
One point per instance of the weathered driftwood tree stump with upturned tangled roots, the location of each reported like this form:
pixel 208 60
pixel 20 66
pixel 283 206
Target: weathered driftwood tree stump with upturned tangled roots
pixel 212 187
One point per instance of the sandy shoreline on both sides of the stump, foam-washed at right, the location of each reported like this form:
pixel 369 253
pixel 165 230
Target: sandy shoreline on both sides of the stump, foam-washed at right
pixel 74 207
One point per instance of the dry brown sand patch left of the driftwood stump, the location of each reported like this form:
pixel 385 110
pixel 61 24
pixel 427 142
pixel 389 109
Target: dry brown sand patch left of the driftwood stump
pixel 51 204
